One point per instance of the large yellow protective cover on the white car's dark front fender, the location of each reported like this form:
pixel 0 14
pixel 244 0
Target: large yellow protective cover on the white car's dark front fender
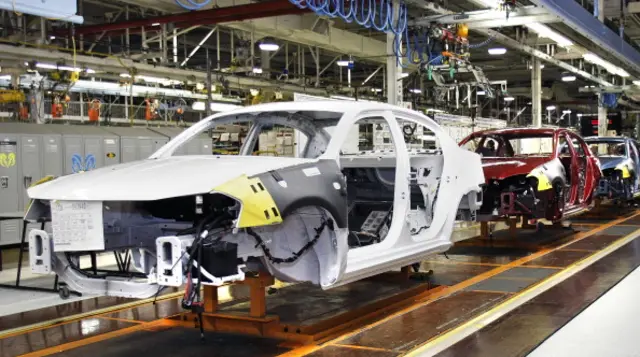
pixel 258 207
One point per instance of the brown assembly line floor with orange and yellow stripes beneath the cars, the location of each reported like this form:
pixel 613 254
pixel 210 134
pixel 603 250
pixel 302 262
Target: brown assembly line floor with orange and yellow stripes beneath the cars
pixel 488 296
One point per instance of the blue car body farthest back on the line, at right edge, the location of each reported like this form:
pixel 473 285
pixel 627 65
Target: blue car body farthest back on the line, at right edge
pixel 619 163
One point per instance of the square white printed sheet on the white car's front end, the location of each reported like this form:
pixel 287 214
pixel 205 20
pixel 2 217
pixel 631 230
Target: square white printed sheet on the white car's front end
pixel 77 226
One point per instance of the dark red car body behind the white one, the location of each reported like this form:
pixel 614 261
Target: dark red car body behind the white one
pixel 534 173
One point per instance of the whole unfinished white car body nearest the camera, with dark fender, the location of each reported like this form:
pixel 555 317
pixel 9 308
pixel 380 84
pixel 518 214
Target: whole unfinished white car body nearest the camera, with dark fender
pixel 328 217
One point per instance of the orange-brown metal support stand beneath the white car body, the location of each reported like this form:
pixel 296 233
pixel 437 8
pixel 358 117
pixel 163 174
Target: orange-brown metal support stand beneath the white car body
pixel 254 319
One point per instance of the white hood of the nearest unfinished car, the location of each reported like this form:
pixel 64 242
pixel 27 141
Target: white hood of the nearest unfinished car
pixel 155 179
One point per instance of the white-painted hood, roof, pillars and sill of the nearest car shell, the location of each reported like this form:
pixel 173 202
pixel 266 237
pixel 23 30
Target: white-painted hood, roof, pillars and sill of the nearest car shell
pixel 164 175
